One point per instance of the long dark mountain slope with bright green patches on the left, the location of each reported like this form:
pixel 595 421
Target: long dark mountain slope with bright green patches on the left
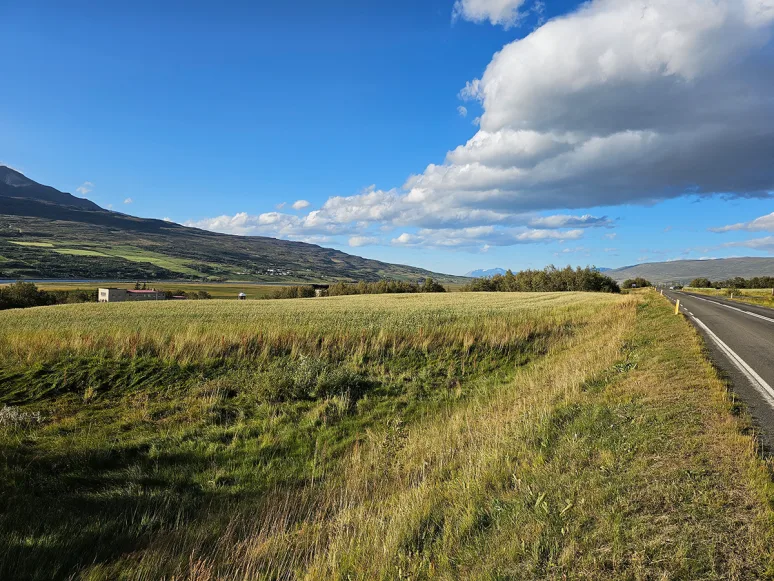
pixel 45 233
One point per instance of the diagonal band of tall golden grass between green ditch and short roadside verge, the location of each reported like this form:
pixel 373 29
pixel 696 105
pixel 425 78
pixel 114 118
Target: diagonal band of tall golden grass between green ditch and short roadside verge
pixel 405 503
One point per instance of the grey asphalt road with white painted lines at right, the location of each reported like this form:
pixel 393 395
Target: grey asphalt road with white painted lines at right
pixel 741 341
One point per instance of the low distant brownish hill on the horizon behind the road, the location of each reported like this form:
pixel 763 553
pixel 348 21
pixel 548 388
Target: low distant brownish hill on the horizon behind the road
pixel 684 271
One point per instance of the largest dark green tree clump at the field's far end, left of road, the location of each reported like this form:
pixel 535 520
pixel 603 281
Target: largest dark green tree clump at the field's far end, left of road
pixel 550 279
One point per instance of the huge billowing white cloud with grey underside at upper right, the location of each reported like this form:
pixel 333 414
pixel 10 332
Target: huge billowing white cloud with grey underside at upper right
pixel 620 102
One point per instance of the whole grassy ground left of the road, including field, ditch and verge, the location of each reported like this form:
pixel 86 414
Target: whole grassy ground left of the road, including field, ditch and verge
pixel 480 436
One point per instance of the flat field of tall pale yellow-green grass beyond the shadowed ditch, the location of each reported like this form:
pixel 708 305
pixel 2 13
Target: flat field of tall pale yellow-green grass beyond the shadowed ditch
pixel 380 325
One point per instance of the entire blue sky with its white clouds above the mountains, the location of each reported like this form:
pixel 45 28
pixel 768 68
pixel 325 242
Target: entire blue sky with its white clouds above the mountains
pixel 609 134
